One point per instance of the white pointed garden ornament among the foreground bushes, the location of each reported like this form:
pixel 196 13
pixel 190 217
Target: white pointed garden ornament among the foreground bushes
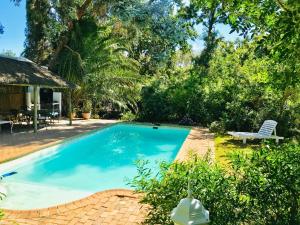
pixel 190 211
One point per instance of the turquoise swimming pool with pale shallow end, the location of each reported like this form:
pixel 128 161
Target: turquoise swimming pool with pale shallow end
pixel 98 161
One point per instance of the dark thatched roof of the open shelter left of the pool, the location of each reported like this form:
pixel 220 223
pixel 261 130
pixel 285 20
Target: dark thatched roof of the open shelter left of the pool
pixel 23 72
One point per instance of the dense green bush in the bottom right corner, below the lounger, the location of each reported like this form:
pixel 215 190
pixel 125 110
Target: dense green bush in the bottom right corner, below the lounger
pixel 271 175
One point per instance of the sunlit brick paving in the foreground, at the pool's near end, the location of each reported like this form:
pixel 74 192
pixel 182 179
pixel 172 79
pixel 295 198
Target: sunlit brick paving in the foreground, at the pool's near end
pixel 113 207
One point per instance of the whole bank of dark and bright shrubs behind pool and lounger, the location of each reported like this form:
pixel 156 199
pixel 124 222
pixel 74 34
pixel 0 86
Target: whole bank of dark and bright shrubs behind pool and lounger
pixel 238 90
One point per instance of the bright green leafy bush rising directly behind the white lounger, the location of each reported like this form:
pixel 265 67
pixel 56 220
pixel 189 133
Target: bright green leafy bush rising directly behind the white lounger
pixel 240 86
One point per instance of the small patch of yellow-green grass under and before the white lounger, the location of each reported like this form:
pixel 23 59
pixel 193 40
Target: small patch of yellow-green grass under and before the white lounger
pixel 224 145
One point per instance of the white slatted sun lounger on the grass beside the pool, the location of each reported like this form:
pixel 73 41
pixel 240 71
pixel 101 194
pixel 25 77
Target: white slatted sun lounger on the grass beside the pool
pixel 265 132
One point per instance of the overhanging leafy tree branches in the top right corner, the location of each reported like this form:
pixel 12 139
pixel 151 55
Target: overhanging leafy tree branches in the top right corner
pixel 276 27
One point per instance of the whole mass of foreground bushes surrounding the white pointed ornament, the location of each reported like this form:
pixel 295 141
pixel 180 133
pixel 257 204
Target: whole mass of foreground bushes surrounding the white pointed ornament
pixel 262 188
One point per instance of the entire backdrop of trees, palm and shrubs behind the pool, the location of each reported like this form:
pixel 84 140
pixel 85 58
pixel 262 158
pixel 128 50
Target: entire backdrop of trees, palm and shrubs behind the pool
pixel 125 56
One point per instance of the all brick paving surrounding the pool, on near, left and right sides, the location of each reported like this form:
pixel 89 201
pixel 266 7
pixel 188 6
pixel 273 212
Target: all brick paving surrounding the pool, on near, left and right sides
pixel 112 207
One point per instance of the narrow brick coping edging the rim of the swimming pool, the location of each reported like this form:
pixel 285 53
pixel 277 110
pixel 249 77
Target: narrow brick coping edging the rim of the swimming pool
pixel 182 153
